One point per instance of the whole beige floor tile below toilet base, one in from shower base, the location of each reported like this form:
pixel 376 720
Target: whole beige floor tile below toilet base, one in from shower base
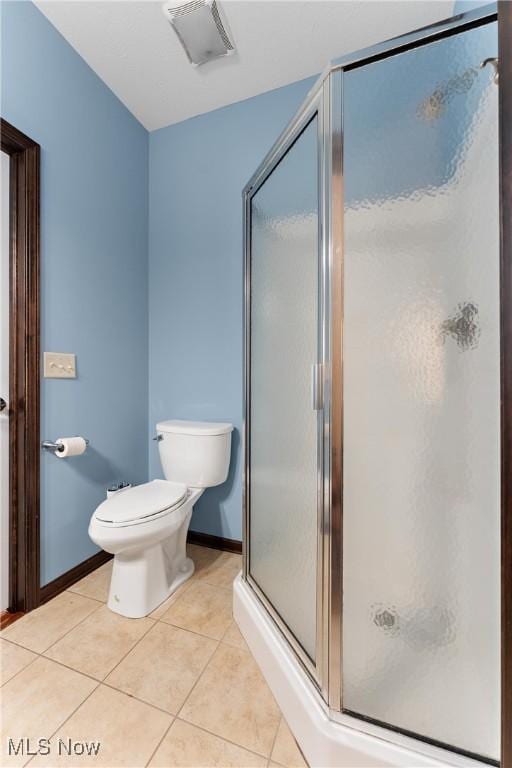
pixel 163 667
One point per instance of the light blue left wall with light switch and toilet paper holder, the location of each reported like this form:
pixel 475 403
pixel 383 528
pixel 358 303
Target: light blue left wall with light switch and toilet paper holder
pixel 94 174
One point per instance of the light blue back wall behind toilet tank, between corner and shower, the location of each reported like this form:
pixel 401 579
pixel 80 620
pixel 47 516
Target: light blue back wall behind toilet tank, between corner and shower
pixel 198 169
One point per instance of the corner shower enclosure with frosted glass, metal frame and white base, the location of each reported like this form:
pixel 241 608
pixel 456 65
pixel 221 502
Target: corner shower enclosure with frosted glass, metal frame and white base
pixel 373 430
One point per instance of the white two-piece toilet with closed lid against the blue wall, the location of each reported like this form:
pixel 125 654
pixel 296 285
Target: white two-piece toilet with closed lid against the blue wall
pixel 145 527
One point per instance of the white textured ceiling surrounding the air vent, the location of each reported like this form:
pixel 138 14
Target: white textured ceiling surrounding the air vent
pixel 132 47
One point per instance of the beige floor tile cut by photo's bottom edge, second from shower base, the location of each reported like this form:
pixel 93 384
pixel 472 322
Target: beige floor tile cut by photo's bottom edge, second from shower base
pixel 186 746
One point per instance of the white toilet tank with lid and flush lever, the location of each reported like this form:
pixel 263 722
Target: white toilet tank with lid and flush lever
pixel 195 453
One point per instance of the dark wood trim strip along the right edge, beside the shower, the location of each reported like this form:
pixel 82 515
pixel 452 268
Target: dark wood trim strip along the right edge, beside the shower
pixel 505 127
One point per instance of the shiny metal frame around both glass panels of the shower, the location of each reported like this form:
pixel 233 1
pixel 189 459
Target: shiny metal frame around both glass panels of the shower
pixel 326 97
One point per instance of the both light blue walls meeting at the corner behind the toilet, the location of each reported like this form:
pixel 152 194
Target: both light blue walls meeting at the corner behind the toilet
pixel 94 272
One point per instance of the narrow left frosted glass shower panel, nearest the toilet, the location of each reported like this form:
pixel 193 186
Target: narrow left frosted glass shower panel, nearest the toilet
pixel 283 425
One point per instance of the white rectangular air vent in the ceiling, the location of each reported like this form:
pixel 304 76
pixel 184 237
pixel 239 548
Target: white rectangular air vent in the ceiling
pixel 200 30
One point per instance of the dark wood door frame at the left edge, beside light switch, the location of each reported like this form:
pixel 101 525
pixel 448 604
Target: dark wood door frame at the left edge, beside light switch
pixel 24 375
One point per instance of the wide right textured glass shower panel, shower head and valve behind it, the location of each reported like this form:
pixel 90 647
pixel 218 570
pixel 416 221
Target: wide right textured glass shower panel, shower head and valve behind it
pixel 422 393
